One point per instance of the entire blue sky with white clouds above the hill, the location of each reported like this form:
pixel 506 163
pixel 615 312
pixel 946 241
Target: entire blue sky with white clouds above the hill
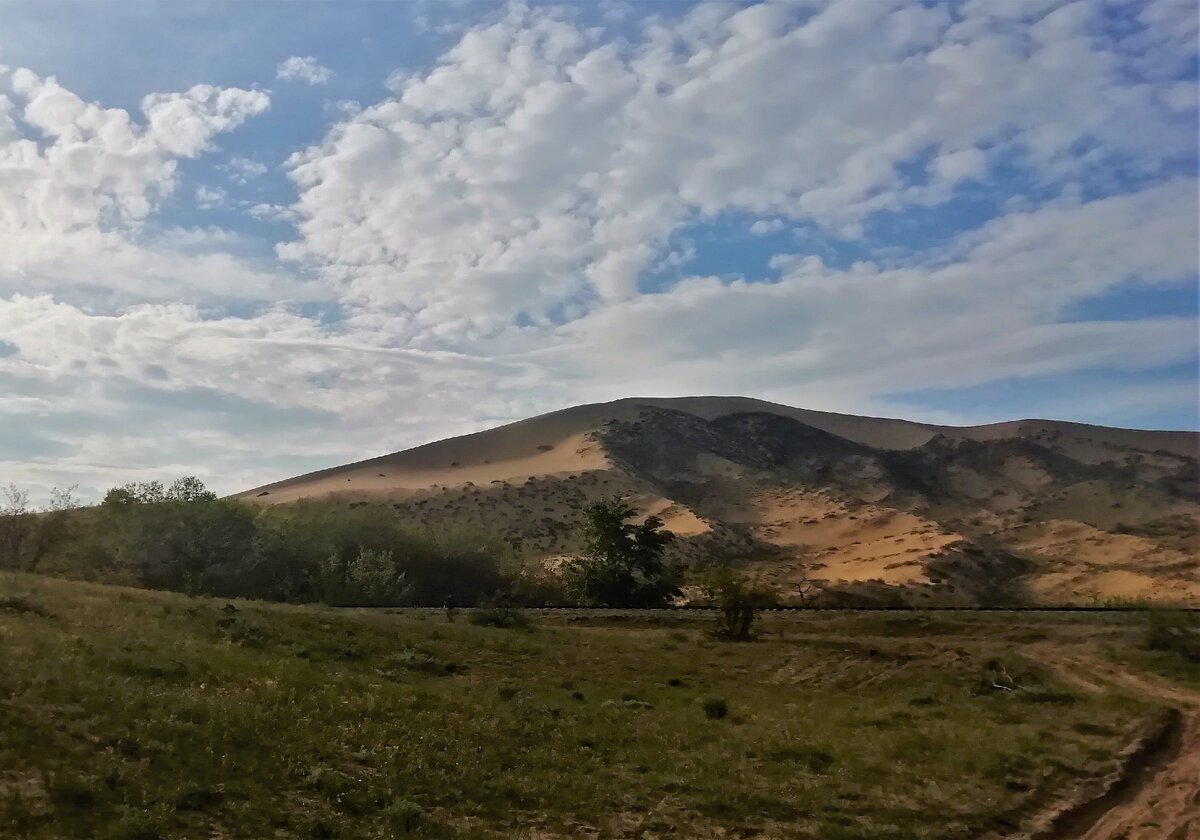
pixel 245 241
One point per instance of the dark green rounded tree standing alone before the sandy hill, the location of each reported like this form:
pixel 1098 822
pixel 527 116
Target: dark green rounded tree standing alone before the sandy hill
pixel 622 565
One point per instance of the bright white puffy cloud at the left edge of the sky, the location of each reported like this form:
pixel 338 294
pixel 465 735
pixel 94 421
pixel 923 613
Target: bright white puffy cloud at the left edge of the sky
pixel 80 183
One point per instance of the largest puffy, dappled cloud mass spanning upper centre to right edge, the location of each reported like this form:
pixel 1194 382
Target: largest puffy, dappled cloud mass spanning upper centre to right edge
pixel 537 166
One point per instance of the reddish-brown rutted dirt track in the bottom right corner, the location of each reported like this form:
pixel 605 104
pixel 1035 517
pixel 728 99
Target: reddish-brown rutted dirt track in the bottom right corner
pixel 1166 806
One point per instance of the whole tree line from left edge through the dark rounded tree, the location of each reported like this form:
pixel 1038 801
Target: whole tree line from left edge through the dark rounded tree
pixel 182 537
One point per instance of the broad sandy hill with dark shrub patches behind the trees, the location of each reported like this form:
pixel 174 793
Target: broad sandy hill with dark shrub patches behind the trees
pixel 1039 511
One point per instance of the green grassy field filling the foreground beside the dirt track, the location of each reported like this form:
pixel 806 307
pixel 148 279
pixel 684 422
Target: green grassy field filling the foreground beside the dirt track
pixel 129 715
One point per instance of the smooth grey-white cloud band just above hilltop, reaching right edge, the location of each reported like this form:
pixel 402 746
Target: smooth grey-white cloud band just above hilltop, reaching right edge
pixel 988 309
